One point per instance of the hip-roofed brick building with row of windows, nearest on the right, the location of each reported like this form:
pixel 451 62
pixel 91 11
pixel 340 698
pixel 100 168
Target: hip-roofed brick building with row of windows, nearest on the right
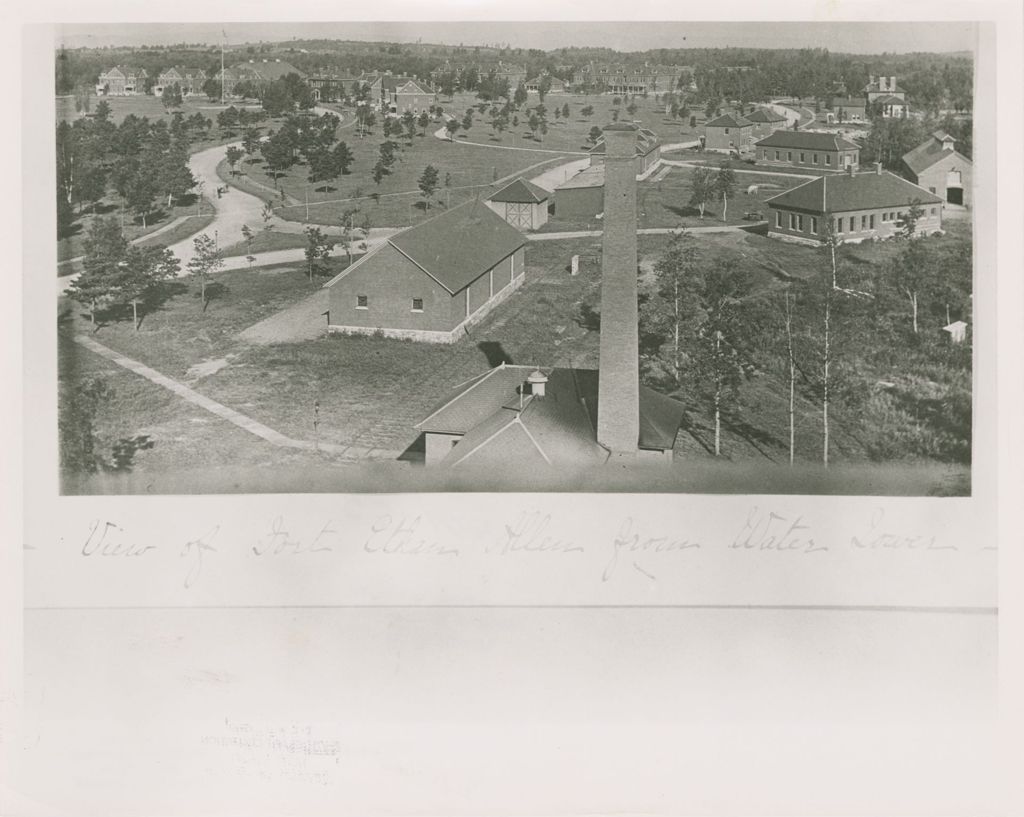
pixel 862 206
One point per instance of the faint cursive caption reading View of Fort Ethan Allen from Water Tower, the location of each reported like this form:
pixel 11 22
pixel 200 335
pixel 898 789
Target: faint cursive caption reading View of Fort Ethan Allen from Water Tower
pixel 641 545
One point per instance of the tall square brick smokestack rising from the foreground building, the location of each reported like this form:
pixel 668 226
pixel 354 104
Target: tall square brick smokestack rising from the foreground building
pixel 619 384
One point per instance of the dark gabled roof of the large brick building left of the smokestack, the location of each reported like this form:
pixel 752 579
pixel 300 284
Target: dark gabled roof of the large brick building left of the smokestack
pixel 454 248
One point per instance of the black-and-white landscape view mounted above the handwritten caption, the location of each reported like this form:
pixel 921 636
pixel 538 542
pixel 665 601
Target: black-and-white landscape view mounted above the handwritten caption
pixel 697 262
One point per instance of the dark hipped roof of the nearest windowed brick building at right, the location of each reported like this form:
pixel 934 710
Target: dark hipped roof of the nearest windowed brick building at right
pixel 844 193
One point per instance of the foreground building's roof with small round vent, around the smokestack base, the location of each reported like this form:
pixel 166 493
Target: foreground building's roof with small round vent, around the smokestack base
pixel 558 429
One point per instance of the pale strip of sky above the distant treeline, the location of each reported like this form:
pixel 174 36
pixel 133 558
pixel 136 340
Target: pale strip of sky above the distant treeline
pixel 866 38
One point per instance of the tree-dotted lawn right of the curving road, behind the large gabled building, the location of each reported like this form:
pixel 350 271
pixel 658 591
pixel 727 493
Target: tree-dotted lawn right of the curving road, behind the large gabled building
pixel 471 173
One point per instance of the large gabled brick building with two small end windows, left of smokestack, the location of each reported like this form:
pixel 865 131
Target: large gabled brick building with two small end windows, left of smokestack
pixel 433 281
